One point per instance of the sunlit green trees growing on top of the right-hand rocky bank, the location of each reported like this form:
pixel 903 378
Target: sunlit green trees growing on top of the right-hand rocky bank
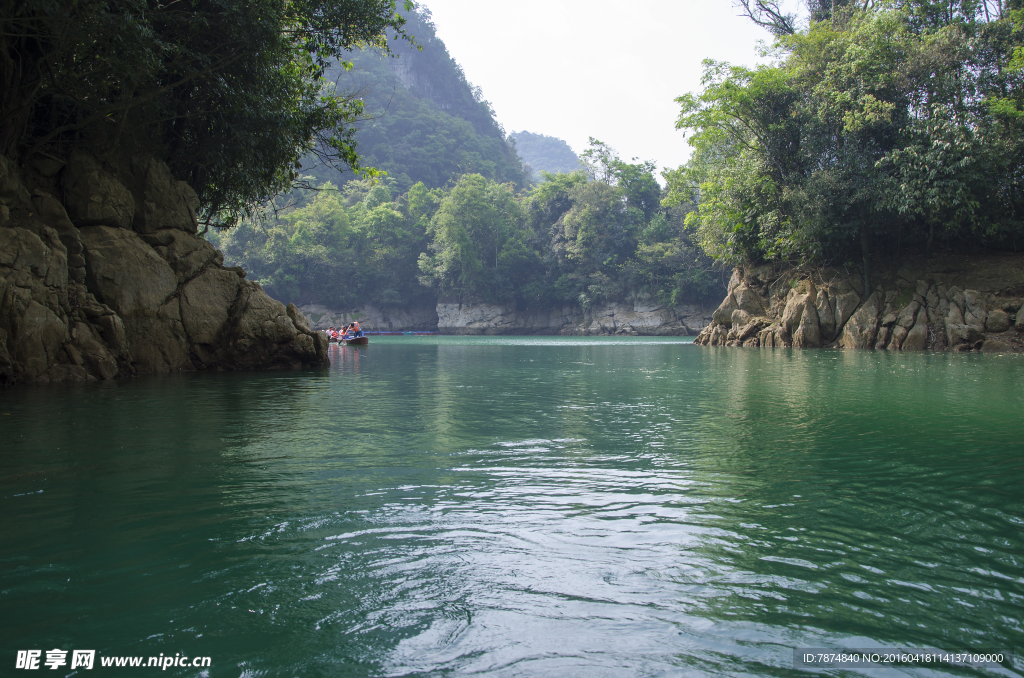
pixel 882 130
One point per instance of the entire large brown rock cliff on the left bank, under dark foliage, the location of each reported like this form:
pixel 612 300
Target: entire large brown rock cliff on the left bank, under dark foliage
pixel 103 275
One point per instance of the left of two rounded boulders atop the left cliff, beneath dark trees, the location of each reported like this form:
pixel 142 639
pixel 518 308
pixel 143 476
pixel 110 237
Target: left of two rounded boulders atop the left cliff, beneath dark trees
pixel 95 196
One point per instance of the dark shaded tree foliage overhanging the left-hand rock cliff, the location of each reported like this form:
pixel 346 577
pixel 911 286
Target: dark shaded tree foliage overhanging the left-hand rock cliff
pixel 231 94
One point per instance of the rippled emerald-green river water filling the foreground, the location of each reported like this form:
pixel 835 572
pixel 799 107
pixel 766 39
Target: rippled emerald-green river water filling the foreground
pixel 447 506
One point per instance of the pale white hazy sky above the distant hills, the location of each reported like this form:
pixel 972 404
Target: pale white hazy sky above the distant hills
pixel 608 69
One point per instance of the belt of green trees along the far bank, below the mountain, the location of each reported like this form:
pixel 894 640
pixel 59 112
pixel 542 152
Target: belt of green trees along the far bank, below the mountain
pixel 594 235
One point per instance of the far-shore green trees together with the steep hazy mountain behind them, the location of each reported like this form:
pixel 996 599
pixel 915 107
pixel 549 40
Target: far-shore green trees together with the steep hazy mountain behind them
pixel 456 218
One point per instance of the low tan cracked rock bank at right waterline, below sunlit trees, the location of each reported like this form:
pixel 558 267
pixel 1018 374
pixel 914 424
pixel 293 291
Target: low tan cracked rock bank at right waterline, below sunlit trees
pixel 944 304
